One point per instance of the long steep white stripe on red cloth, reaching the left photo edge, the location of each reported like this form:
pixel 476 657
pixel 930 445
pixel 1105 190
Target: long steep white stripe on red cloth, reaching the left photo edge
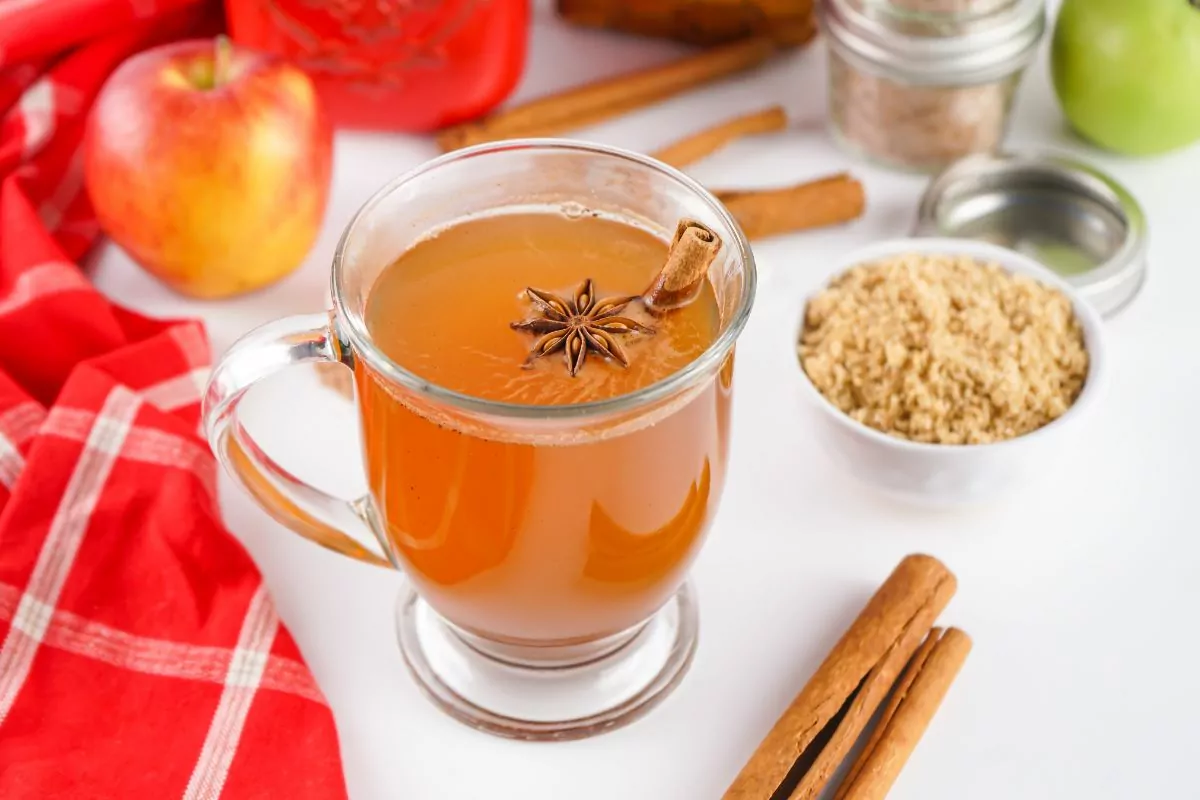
pixel 68 528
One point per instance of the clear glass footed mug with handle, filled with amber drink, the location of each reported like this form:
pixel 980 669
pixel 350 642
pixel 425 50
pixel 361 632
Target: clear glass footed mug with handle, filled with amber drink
pixel 544 446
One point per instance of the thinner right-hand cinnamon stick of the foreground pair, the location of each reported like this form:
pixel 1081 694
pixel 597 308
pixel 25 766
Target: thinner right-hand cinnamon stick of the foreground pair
pixel 907 715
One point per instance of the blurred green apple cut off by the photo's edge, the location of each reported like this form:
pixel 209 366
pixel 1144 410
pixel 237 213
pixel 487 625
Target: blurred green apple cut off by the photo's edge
pixel 1127 73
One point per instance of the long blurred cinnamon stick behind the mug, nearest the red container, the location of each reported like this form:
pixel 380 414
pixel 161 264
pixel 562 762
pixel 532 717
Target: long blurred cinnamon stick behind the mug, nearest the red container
pixel 611 98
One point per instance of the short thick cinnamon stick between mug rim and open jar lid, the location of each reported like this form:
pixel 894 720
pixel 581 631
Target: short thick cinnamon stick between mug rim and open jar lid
pixel 769 213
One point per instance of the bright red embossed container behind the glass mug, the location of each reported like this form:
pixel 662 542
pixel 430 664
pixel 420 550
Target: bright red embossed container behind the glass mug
pixel 400 65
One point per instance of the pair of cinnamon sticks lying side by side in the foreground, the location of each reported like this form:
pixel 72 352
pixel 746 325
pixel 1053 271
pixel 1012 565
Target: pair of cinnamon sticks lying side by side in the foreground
pixel 892 657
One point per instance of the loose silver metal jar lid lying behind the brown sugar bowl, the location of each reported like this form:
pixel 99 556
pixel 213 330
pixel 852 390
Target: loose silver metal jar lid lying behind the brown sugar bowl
pixel 1067 215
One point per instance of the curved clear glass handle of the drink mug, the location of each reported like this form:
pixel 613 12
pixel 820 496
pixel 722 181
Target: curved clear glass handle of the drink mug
pixel 309 512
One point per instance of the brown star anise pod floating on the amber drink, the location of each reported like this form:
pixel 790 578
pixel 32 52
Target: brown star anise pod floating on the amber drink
pixel 579 324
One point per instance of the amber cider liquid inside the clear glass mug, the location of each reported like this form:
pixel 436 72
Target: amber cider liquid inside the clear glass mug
pixel 557 542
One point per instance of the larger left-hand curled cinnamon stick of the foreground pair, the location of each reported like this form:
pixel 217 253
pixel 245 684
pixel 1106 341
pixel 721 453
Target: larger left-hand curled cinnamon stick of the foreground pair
pixel 849 687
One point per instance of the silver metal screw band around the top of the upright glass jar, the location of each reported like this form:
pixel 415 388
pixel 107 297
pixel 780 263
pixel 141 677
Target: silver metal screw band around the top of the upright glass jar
pixel 969 51
